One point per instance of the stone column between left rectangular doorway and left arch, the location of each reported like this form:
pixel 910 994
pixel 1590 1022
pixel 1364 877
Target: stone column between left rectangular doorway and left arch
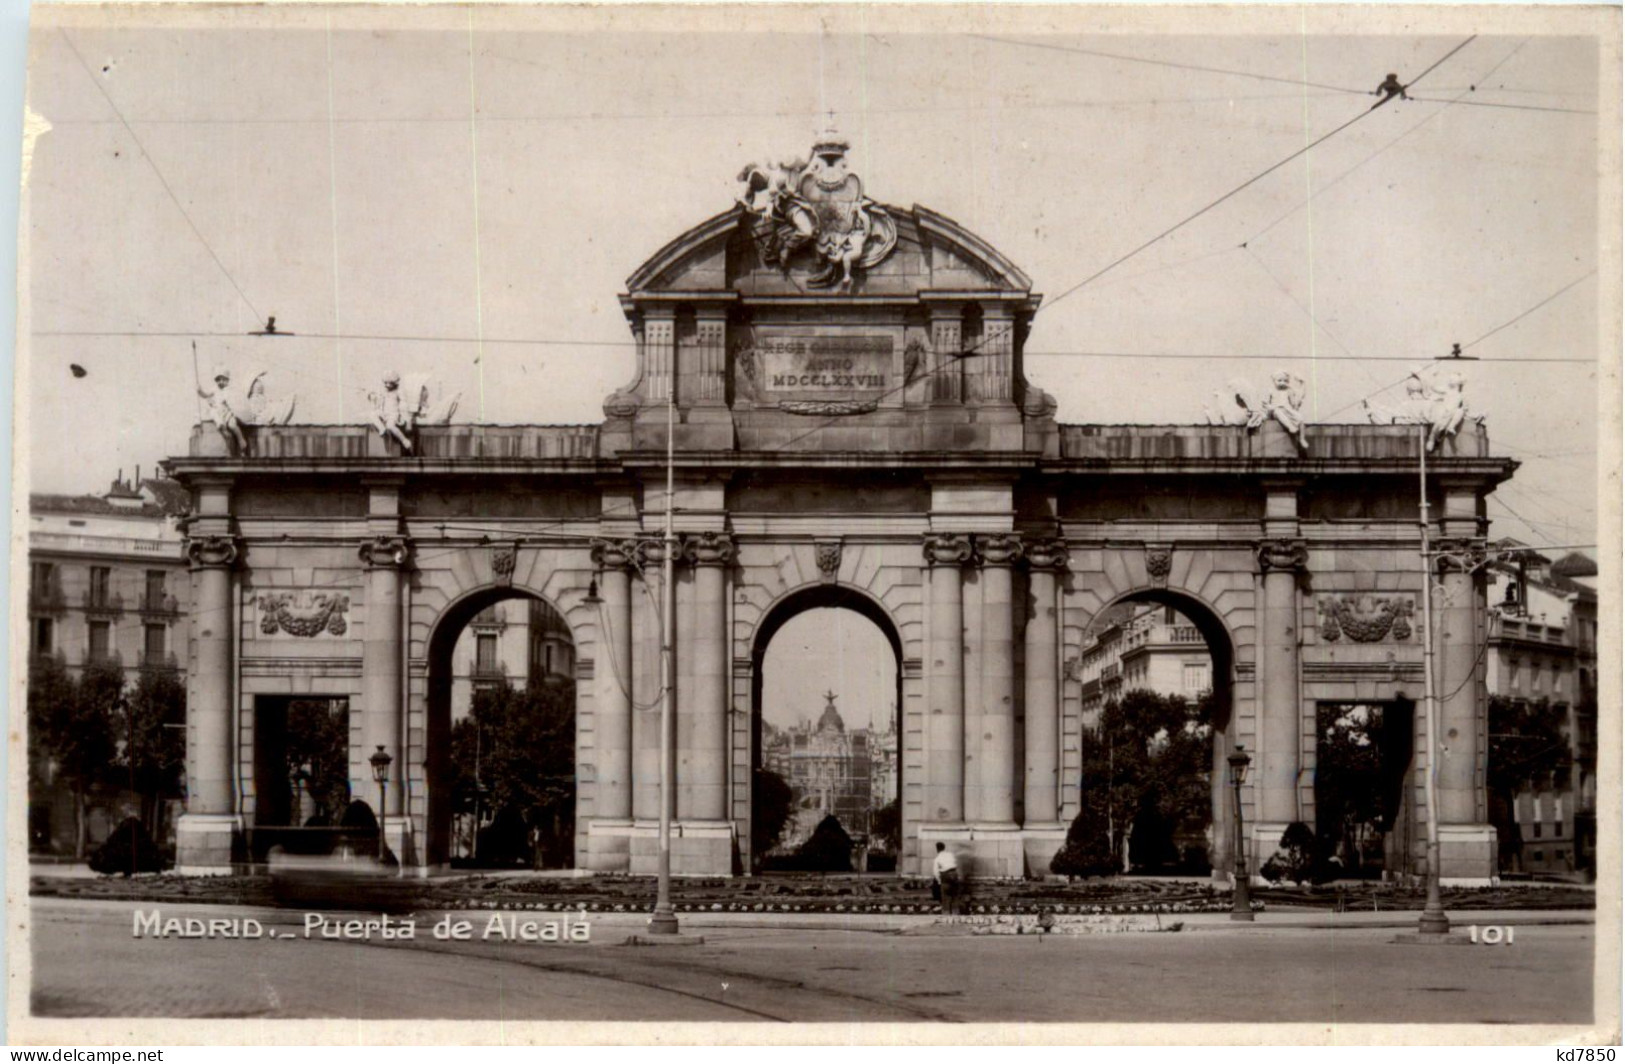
pixel 381 667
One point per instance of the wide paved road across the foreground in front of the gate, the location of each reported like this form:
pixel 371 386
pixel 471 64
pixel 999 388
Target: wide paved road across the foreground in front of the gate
pixel 87 962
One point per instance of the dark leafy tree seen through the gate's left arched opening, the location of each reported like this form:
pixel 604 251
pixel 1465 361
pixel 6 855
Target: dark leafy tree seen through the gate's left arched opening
pixel 527 764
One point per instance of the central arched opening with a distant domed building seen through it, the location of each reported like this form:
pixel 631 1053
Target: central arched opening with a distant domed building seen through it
pixel 810 758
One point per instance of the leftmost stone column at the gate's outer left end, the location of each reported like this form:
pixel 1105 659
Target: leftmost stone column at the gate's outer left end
pixel 210 824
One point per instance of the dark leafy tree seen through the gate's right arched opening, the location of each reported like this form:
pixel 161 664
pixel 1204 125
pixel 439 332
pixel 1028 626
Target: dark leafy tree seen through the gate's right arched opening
pixel 1148 763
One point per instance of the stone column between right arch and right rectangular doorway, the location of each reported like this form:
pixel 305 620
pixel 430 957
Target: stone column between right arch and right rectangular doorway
pixel 1276 764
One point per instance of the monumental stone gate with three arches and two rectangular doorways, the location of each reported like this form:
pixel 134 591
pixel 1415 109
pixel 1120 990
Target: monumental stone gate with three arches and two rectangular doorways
pixel 852 428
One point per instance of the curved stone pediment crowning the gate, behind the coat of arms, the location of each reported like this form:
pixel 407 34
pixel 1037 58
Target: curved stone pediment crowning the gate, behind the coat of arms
pixel 726 256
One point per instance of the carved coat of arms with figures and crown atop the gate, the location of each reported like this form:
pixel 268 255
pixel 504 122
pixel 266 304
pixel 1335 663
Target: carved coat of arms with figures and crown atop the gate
pixel 817 205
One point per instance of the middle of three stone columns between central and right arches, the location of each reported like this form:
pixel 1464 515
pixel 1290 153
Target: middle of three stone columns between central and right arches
pixel 995 745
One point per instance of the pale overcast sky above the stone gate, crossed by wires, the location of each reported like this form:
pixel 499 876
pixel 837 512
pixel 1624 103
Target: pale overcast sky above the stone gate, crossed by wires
pixel 464 192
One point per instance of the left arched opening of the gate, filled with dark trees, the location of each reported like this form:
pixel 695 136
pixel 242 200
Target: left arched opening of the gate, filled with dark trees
pixel 501 660
